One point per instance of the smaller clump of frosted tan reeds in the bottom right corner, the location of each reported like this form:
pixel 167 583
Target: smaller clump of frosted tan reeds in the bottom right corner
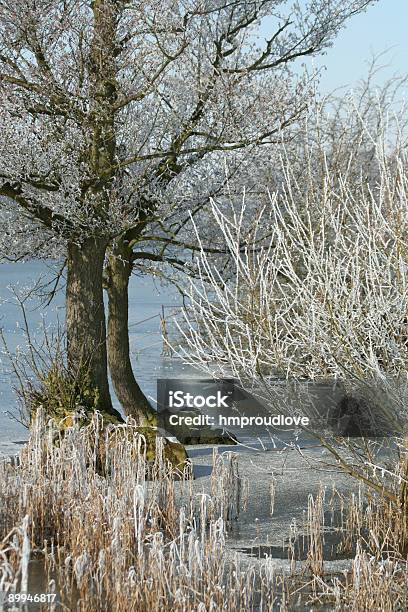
pixel 371 530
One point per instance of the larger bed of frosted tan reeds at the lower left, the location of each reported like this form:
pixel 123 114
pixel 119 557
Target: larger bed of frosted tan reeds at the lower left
pixel 108 528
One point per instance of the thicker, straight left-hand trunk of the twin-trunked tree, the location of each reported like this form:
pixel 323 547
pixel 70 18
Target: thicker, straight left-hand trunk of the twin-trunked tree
pixel 85 317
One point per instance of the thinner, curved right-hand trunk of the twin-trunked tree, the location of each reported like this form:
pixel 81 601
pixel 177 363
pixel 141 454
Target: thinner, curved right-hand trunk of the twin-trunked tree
pixel 130 395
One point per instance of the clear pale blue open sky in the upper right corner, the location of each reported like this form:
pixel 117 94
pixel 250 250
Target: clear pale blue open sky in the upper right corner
pixel 383 26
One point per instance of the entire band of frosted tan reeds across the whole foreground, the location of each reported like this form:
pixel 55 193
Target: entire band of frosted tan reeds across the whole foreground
pixel 116 532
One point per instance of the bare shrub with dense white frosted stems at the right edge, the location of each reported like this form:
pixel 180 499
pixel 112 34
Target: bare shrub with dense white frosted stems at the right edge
pixel 323 301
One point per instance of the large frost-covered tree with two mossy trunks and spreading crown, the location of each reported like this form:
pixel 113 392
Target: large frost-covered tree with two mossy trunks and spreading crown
pixel 114 116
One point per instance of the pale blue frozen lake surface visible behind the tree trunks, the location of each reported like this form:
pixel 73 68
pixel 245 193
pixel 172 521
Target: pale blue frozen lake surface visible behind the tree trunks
pixel 146 301
